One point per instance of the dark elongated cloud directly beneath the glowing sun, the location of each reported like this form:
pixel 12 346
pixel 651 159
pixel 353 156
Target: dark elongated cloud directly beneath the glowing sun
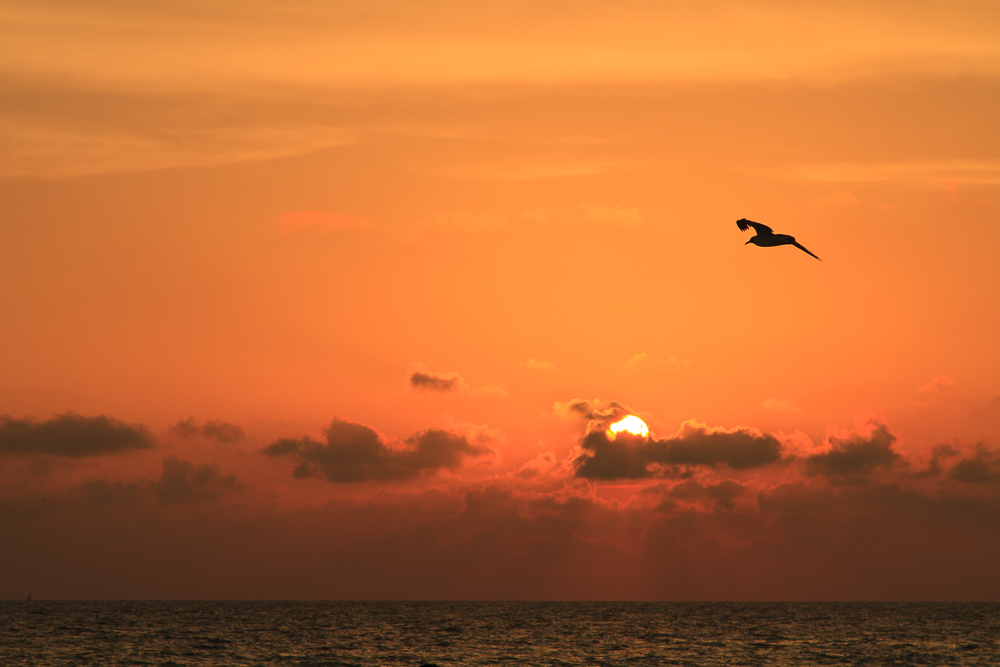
pixel 695 444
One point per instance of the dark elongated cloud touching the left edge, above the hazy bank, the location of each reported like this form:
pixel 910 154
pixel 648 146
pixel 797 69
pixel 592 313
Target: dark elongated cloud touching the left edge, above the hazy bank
pixel 71 435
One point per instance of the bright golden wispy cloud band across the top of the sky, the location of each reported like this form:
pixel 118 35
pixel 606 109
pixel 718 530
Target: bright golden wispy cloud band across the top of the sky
pixel 309 43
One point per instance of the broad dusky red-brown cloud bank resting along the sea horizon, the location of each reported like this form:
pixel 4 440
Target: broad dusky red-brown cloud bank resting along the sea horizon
pixel 707 535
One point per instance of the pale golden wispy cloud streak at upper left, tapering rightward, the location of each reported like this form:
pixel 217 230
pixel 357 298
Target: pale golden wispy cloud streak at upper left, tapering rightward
pixel 70 130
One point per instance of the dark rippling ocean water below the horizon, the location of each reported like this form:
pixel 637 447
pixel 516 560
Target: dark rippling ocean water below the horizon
pixel 497 633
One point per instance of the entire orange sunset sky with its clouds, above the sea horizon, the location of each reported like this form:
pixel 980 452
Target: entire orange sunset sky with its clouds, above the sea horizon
pixel 338 300
